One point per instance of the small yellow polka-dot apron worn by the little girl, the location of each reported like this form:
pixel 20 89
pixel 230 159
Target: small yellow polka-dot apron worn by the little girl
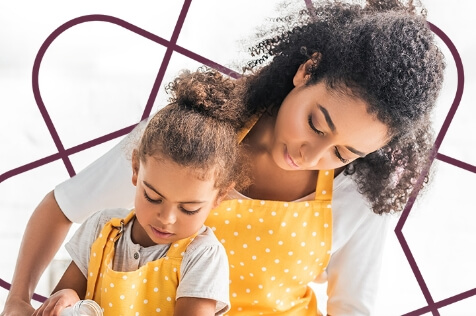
pixel 149 290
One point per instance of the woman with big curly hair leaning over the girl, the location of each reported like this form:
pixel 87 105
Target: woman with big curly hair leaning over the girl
pixel 337 105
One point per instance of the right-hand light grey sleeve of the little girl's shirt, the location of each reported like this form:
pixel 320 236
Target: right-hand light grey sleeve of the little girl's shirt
pixel 205 274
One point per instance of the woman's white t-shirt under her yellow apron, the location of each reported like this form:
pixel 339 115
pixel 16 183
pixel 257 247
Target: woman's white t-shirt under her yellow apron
pixel 358 234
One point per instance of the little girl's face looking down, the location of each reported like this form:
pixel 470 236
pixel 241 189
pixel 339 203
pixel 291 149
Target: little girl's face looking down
pixel 171 203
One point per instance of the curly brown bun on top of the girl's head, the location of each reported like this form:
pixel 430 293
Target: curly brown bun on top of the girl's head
pixel 208 92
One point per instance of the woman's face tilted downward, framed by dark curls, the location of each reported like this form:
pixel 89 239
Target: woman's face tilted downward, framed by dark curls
pixel 318 129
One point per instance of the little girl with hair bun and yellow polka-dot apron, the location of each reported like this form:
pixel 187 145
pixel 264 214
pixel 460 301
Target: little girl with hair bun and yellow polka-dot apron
pixel 160 257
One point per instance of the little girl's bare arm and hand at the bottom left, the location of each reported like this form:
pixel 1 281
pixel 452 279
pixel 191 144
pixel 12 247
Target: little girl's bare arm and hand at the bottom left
pixel 70 289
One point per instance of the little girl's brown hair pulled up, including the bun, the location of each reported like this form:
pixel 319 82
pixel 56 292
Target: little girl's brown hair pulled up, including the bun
pixel 198 128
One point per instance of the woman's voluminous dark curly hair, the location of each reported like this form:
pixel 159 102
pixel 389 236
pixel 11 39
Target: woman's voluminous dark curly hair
pixel 386 54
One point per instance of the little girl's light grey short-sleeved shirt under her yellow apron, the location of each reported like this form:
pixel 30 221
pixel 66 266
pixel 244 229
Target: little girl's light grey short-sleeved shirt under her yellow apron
pixel 204 270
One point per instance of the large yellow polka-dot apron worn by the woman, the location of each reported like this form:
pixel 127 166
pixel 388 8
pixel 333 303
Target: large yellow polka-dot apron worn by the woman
pixel 275 249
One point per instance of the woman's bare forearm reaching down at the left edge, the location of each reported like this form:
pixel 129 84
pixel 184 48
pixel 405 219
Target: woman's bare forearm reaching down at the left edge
pixel 47 226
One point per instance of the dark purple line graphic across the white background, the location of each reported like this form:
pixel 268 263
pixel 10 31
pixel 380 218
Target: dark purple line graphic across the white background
pixel 171 47
